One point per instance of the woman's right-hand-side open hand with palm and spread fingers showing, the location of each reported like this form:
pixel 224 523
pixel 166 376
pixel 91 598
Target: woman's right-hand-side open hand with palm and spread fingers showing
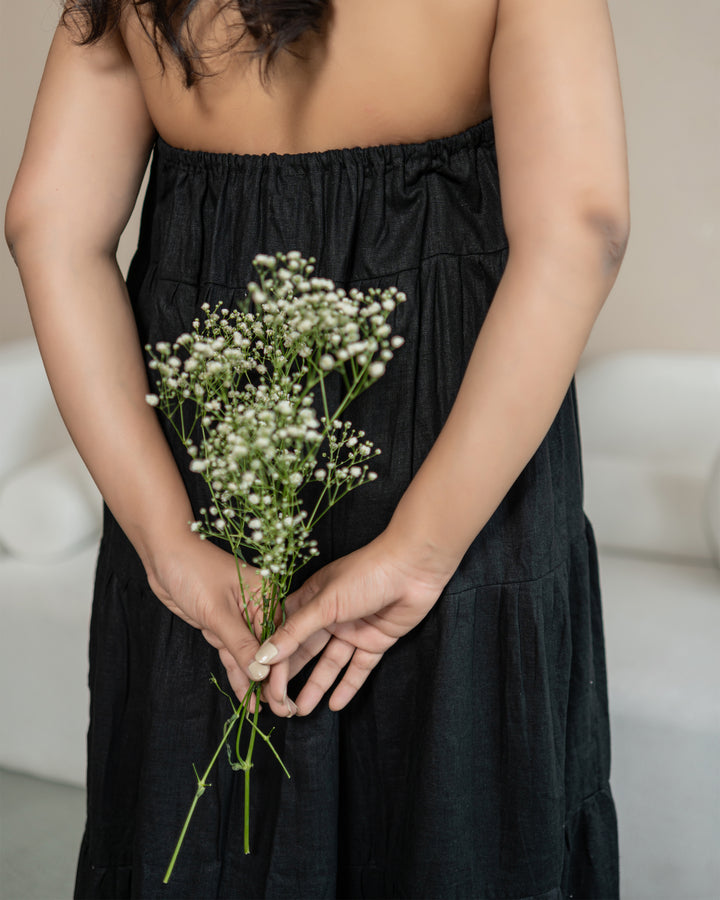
pixel 353 610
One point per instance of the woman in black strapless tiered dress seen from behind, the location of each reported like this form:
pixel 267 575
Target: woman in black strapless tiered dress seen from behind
pixel 464 751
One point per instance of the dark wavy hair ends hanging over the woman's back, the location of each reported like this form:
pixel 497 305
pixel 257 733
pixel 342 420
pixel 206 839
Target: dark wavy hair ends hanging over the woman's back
pixel 273 24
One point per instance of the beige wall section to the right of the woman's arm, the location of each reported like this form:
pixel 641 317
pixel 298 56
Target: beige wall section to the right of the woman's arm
pixel 668 292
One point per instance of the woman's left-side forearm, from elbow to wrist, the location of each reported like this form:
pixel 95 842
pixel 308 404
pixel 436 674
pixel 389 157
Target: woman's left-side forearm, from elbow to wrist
pixel 89 343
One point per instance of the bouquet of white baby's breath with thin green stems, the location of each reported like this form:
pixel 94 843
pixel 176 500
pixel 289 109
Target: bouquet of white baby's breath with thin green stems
pixel 240 392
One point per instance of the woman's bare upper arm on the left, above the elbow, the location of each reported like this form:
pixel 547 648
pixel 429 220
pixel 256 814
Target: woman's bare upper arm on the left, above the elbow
pixel 87 148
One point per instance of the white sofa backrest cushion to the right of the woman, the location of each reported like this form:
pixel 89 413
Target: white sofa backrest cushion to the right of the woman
pixel 650 433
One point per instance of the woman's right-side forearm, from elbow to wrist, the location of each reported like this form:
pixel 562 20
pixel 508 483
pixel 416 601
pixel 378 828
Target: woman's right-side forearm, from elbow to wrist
pixel 518 373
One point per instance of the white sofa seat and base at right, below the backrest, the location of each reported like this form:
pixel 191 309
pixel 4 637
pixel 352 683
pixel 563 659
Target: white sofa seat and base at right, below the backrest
pixel 662 631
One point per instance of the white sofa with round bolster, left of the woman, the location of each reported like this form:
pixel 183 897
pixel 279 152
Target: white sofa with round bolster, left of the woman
pixel 50 519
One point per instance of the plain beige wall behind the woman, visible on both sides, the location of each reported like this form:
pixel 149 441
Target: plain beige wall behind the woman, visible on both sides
pixel 667 293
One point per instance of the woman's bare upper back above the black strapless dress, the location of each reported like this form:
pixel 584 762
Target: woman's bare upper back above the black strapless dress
pixel 382 71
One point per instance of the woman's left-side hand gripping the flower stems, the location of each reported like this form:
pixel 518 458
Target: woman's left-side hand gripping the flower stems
pixel 198 582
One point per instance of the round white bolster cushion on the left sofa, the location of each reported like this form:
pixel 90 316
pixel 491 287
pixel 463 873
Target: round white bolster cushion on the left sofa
pixel 49 509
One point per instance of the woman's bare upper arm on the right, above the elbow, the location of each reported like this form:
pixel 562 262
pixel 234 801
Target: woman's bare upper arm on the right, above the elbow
pixel 558 118
